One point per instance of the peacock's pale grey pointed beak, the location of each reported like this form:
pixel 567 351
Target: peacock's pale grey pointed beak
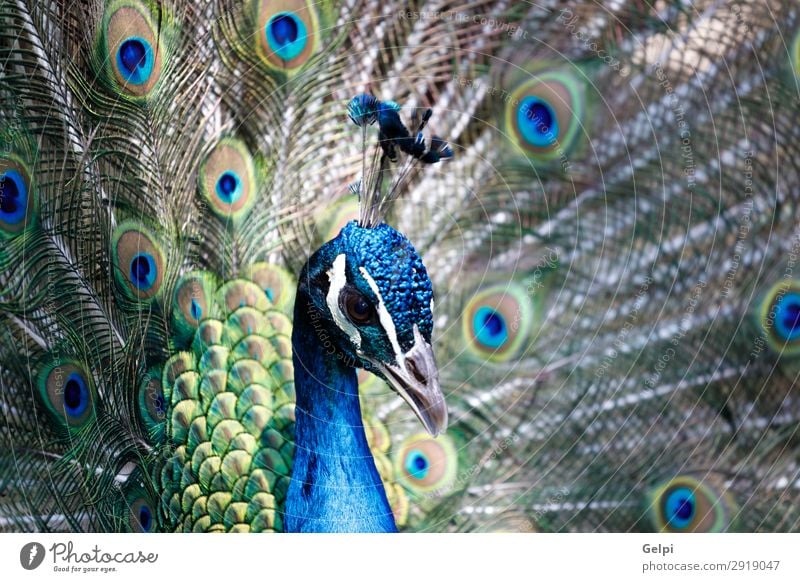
pixel 416 379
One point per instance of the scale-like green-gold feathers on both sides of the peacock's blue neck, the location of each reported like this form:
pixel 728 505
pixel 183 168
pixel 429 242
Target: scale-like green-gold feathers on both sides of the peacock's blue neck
pixel 229 407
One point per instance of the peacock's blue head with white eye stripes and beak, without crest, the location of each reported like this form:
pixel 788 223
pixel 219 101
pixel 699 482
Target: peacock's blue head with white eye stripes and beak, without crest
pixel 369 291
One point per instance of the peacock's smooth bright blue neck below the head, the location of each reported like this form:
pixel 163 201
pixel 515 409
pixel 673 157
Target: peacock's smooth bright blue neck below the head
pixel 335 486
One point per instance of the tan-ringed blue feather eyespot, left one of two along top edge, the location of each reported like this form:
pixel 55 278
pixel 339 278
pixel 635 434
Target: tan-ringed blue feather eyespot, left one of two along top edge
pixel 130 48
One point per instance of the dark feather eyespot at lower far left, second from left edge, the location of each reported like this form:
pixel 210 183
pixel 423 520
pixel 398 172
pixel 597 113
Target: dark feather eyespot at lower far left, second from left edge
pixel 68 393
